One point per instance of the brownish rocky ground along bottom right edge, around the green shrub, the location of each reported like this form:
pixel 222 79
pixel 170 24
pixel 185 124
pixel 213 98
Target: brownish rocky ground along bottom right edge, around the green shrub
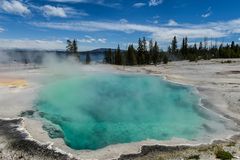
pixel 205 151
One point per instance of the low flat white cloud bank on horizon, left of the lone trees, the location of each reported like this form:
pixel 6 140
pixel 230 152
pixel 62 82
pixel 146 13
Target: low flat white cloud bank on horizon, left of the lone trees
pixel 31 44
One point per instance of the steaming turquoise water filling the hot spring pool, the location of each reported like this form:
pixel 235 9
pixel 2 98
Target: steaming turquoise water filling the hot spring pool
pixel 97 110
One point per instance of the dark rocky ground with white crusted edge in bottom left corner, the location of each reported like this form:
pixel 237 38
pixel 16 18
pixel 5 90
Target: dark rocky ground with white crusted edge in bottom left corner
pixel 16 144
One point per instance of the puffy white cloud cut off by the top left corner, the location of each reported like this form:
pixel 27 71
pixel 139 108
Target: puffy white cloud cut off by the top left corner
pixel 14 7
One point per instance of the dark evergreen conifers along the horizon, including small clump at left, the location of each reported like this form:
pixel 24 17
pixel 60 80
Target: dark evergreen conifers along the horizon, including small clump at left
pixel 149 52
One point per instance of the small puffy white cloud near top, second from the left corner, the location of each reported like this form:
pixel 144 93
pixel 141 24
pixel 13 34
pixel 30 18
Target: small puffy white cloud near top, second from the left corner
pixel 49 11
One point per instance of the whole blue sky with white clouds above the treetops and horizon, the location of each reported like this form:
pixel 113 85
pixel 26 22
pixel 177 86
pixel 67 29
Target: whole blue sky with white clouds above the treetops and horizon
pixel 47 24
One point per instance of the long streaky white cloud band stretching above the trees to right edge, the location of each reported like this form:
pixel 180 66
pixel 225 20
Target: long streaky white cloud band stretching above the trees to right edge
pixel 159 32
